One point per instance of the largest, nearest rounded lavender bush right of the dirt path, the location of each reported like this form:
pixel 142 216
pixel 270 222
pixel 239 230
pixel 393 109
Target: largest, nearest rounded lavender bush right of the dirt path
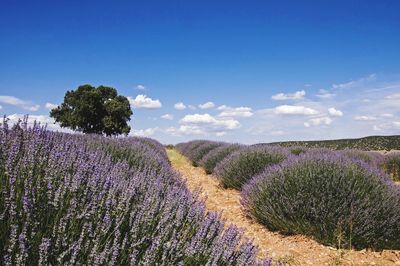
pixel 328 196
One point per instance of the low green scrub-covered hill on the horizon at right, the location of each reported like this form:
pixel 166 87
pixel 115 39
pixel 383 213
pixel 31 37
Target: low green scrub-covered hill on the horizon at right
pixel 366 143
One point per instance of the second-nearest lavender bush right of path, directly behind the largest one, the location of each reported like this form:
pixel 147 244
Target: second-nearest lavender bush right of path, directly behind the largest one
pixel 240 166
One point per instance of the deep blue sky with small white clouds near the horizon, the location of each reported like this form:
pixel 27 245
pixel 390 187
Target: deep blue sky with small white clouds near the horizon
pixel 269 71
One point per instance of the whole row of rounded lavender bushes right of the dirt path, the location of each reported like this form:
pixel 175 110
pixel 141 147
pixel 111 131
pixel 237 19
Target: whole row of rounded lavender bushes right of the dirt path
pixel 337 197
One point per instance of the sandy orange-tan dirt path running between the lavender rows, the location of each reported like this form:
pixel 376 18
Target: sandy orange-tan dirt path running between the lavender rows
pixel 294 250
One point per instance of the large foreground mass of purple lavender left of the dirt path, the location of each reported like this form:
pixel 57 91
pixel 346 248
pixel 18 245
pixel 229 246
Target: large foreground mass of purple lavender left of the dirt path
pixel 78 199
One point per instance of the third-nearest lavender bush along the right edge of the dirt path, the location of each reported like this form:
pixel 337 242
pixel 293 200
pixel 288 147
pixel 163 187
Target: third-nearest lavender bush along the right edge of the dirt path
pixel 211 159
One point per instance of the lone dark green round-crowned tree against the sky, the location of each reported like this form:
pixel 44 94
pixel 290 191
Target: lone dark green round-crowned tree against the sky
pixel 94 110
